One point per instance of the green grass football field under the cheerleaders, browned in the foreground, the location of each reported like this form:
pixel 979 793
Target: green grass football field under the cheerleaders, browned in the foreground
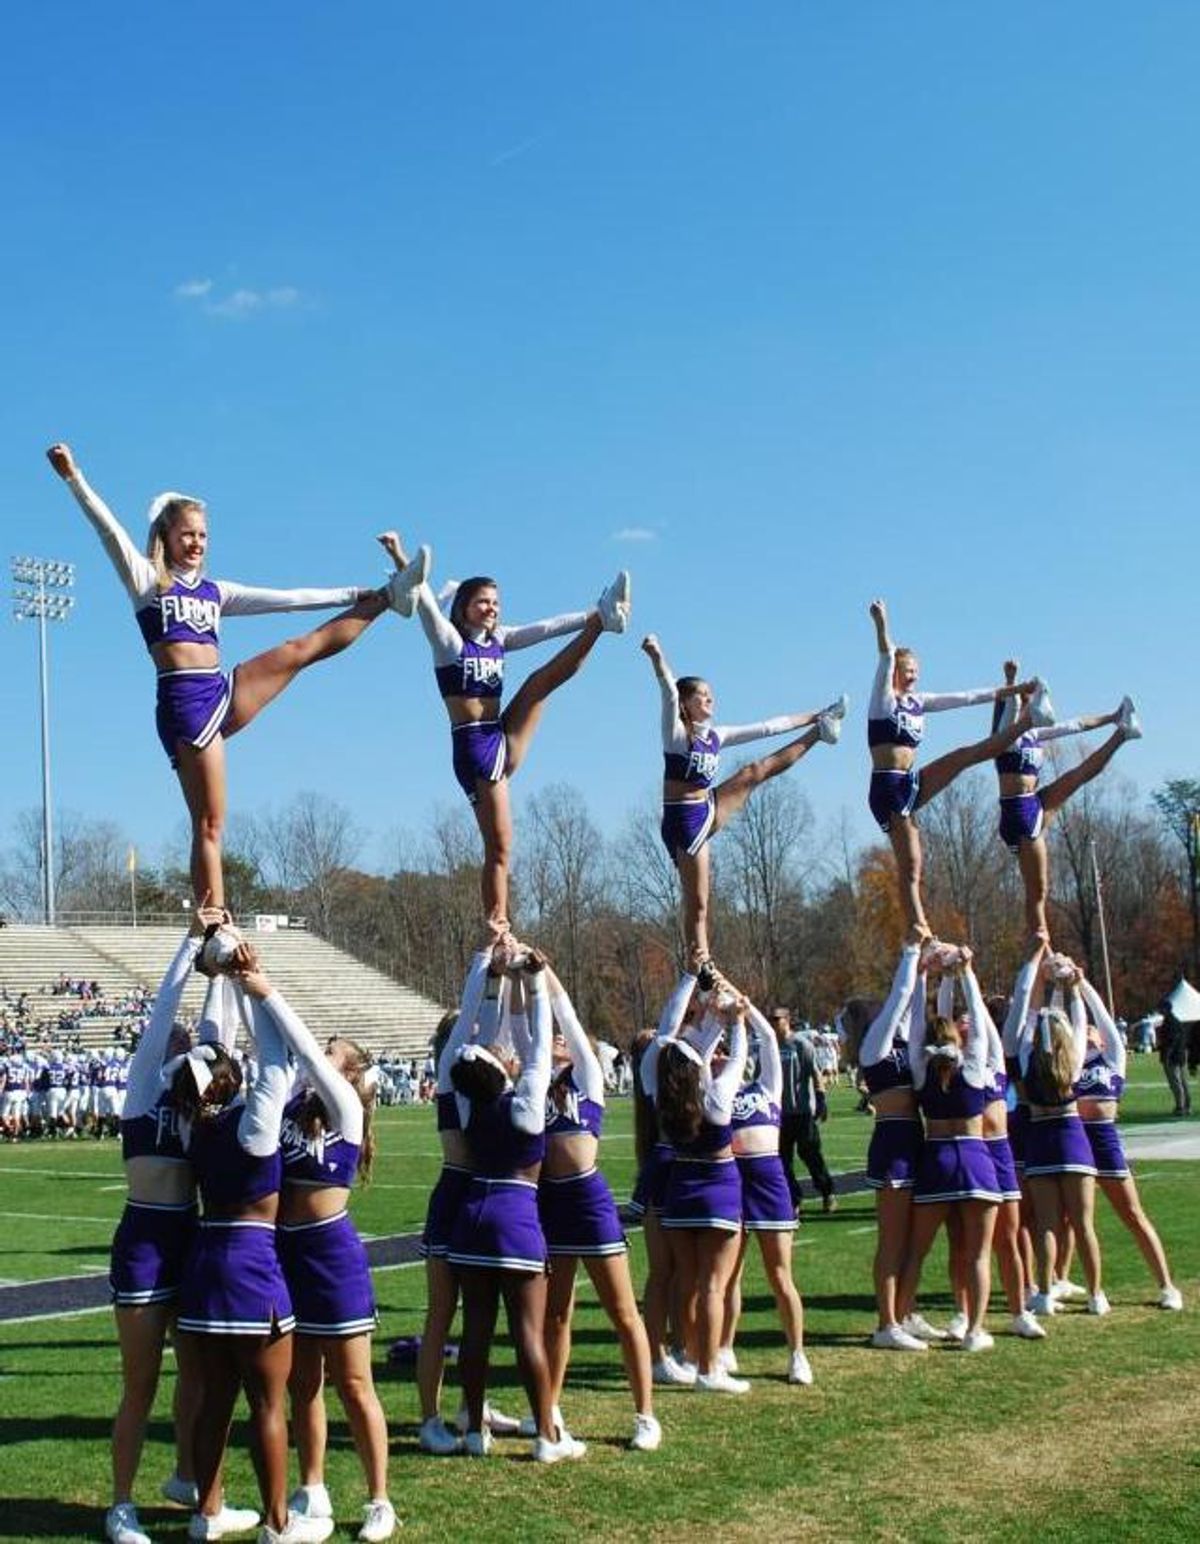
pixel 1090 1435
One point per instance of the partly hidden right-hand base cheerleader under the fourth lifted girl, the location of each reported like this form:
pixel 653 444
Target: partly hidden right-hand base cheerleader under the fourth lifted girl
pixel 1006 1241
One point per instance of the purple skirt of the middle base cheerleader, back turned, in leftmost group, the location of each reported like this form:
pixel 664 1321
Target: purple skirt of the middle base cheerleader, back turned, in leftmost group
pixel 234 1284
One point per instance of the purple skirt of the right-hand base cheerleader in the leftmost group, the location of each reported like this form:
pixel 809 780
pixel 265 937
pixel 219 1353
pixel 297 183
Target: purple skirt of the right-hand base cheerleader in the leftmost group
pixel 327 1273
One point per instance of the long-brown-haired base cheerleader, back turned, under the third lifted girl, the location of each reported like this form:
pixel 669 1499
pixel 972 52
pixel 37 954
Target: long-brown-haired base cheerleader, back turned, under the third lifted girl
pixel 702 1208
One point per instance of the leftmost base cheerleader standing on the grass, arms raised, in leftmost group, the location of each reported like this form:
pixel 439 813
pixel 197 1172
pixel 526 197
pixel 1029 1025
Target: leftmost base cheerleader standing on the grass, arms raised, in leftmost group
pixel 151 1250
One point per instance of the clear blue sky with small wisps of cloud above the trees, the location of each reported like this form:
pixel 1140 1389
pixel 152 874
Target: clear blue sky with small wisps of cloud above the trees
pixel 782 306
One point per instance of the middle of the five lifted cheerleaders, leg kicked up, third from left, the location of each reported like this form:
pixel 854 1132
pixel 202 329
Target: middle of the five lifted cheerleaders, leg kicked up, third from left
pixel 694 805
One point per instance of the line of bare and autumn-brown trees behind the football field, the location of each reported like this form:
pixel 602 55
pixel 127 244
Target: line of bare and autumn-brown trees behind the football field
pixel 799 916
